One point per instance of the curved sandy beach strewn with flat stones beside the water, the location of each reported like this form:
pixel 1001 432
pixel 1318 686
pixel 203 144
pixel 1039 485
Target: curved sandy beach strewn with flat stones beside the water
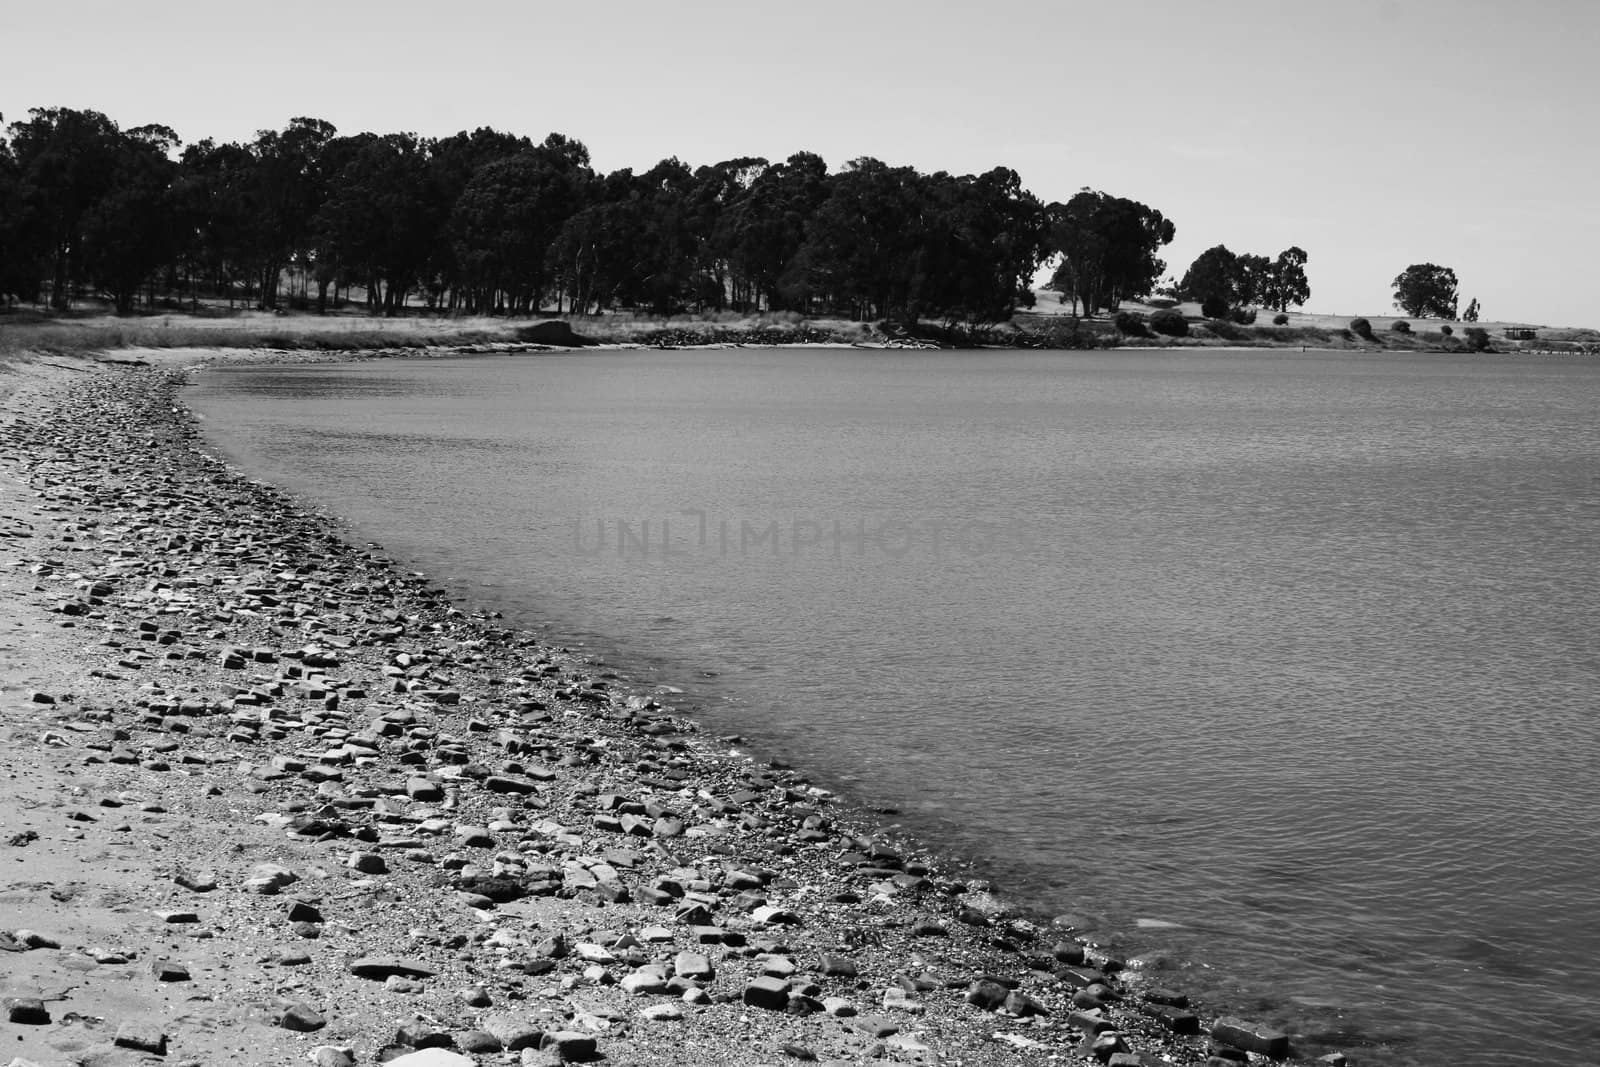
pixel 271 799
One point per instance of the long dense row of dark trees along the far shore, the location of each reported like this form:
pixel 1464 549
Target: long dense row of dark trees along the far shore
pixel 495 223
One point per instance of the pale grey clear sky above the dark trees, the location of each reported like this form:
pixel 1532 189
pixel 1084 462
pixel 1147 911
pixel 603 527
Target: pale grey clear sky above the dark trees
pixel 1372 134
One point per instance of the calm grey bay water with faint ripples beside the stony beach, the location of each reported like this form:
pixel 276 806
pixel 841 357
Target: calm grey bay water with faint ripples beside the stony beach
pixel 1278 668
